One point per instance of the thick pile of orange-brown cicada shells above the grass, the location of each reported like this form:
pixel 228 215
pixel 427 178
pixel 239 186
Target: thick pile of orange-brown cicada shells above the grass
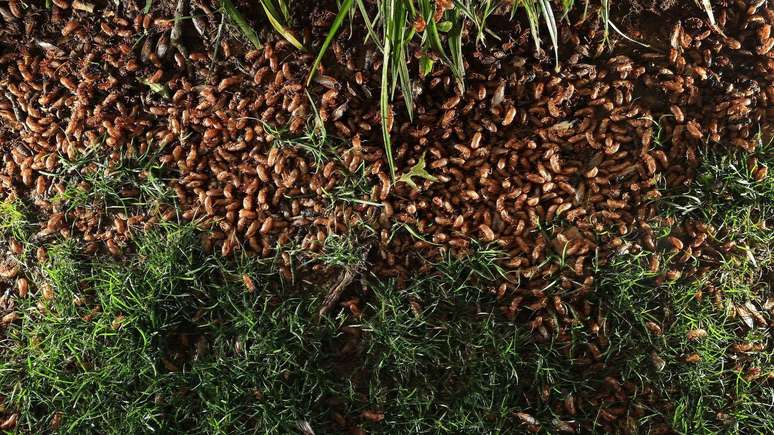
pixel 543 162
